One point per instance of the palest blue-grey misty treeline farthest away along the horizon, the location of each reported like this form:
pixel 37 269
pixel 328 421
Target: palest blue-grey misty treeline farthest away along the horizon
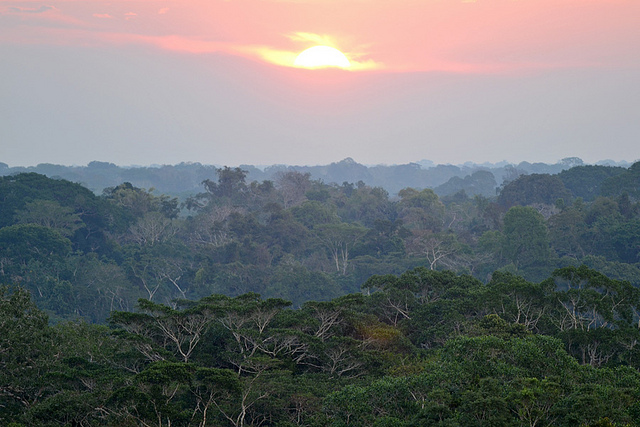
pixel 186 178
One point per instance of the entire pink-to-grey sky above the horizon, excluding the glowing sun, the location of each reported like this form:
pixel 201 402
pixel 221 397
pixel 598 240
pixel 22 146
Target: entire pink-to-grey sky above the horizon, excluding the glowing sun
pixel 140 82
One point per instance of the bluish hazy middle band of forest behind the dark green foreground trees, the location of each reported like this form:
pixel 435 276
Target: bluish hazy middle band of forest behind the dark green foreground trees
pixel 280 240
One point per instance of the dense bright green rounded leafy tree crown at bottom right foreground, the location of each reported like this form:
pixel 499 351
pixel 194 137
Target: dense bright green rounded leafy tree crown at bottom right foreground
pixel 484 381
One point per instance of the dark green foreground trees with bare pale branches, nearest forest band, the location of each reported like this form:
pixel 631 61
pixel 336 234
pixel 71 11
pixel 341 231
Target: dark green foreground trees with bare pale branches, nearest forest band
pixel 422 347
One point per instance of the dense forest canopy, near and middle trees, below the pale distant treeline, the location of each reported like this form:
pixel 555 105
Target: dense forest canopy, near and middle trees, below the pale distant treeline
pixel 295 302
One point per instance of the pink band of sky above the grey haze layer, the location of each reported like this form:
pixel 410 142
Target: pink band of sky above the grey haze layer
pixel 398 35
